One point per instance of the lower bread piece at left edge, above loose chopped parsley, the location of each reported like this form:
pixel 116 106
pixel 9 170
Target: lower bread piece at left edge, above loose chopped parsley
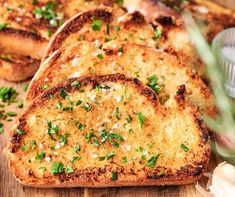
pixel 14 67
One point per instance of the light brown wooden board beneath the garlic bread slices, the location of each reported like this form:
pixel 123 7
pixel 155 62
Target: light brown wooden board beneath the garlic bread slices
pixel 9 187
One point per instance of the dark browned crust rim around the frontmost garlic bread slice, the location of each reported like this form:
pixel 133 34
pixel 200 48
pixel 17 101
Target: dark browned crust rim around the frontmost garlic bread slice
pixel 187 174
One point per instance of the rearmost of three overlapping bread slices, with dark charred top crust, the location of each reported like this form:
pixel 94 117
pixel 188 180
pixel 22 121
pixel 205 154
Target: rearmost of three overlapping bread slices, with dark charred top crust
pixel 106 26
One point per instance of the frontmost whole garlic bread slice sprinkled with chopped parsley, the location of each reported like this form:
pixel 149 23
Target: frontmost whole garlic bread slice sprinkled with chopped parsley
pixel 107 131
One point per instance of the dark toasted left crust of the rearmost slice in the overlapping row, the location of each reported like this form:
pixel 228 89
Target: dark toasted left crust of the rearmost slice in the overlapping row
pixel 74 24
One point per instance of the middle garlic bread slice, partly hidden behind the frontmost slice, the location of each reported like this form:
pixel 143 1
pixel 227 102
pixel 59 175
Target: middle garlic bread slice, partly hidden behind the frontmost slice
pixel 84 59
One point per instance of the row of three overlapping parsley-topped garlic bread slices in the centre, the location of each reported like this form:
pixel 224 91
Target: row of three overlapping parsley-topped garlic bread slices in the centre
pixel 106 108
